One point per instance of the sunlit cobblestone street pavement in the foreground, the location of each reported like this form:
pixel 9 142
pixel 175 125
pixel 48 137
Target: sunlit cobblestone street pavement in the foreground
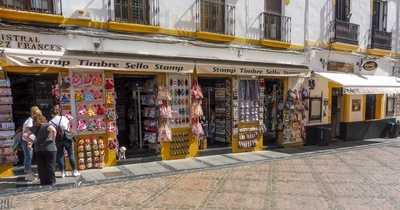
pixel 363 178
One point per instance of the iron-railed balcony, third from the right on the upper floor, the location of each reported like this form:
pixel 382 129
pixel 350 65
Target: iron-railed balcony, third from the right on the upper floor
pixel 275 27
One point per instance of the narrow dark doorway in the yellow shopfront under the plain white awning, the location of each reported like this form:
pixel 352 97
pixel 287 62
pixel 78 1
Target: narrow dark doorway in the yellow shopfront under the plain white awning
pixel 336 112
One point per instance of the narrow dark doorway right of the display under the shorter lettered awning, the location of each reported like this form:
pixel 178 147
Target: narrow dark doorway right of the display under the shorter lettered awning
pixel 273 107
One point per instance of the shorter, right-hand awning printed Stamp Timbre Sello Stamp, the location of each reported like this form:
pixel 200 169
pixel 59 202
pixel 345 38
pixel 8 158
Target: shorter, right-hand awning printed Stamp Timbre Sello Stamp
pixel 274 70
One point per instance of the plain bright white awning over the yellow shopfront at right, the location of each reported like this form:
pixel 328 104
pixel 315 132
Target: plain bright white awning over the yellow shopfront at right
pixel 363 84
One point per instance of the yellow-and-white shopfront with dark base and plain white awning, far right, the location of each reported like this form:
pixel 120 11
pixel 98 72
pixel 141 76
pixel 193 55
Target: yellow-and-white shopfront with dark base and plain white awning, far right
pixel 358 106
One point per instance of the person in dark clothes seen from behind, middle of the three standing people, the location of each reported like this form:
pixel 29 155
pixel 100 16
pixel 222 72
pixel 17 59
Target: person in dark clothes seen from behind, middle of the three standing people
pixel 45 149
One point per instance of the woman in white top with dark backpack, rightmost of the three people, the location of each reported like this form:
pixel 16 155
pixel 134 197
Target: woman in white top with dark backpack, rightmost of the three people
pixel 64 141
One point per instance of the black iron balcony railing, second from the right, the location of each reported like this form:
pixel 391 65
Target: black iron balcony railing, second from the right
pixel 342 31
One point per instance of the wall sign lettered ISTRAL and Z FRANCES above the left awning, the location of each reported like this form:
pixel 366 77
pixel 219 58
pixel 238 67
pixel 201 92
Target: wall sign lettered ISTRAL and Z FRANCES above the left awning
pixel 27 41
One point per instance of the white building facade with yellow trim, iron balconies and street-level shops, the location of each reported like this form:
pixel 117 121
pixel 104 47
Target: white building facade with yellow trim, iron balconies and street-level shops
pixel 271 45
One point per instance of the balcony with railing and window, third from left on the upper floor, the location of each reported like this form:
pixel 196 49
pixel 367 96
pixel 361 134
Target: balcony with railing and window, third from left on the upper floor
pixel 215 16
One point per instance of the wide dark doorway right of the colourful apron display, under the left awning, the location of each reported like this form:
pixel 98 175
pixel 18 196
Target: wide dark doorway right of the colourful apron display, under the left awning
pixel 137 115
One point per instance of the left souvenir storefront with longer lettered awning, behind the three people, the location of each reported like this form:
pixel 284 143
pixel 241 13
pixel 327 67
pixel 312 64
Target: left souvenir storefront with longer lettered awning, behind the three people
pixel 143 105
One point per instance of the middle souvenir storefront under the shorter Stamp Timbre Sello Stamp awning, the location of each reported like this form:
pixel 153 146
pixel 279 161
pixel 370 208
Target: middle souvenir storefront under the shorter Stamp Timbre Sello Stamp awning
pixel 263 112
